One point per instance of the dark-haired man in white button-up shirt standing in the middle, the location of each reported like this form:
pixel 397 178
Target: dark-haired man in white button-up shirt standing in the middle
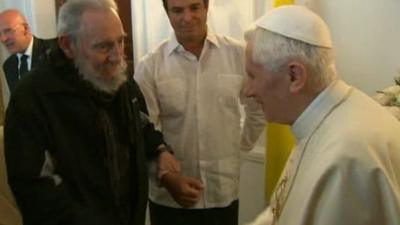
pixel 193 85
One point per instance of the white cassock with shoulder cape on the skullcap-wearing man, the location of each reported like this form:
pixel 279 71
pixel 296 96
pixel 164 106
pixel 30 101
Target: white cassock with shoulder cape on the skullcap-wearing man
pixel 345 169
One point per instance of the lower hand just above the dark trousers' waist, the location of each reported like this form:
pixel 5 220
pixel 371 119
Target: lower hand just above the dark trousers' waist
pixel 185 190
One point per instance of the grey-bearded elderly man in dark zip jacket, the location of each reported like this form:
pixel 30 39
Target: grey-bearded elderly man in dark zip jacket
pixel 77 138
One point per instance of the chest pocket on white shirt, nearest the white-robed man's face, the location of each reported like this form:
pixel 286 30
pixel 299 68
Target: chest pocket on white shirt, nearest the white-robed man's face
pixel 229 88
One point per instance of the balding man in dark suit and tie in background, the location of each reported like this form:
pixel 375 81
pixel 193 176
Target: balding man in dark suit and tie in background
pixel 25 49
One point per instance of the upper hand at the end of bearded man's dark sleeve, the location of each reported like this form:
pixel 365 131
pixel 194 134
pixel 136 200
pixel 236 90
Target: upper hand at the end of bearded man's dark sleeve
pixel 167 163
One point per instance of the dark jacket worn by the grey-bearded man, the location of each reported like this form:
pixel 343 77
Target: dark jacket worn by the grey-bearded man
pixel 51 118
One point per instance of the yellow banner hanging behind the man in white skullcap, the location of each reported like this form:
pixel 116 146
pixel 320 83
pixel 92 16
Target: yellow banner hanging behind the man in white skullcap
pixel 280 142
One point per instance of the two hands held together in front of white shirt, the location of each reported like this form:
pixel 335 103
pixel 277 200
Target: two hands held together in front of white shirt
pixel 185 190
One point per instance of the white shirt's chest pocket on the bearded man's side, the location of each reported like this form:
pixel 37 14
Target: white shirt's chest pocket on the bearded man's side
pixel 171 95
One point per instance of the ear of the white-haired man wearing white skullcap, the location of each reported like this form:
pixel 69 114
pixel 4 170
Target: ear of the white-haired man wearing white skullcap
pixel 298 76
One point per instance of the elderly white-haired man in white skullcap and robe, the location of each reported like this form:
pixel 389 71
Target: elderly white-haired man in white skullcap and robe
pixel 345 168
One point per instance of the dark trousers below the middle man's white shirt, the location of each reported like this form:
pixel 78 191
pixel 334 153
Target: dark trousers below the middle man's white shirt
pixel 162 215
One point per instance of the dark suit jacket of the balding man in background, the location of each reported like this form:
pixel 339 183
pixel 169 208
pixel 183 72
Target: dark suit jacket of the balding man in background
pixel 10 66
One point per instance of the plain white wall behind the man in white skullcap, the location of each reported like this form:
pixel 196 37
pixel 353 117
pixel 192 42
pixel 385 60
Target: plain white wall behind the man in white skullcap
pixel 366 35
